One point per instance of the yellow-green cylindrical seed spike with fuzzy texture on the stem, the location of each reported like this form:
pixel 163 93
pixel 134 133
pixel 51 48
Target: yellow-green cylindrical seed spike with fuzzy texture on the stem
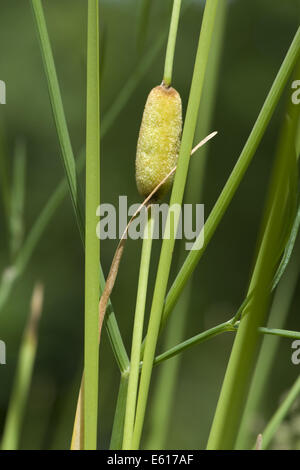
pixel 159 140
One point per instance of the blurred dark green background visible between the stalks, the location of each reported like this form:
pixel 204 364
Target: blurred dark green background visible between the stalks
pixel 258 34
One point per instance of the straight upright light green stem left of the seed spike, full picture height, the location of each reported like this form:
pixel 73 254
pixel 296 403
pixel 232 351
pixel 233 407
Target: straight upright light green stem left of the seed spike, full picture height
pixel 92 252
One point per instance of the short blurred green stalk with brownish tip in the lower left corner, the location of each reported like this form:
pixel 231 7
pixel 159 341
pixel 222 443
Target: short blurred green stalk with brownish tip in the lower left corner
pixel 23 376
